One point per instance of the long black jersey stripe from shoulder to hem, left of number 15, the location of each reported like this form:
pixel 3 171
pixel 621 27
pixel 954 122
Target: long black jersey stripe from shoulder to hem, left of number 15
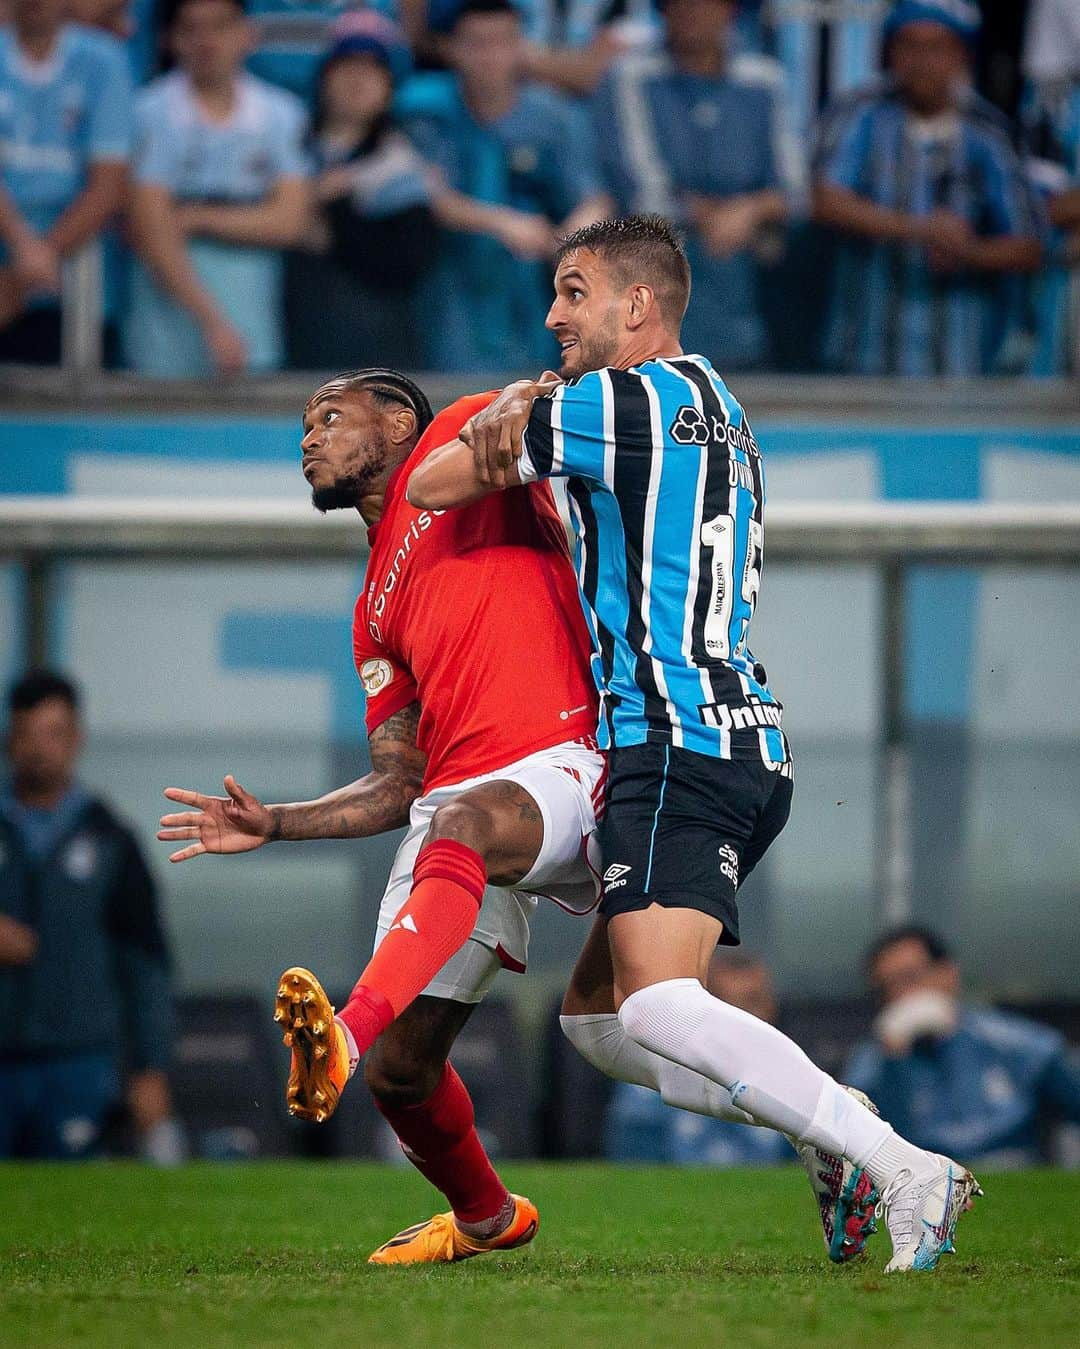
pixel 633 466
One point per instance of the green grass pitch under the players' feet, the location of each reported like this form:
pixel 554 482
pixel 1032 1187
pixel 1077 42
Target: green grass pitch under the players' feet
pixel 227 1258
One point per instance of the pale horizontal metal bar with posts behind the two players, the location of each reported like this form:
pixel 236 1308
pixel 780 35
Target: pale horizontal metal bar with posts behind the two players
pixel 42 532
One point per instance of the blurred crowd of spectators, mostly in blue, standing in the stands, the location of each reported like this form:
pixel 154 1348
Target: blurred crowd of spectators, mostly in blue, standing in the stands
pixel 866 187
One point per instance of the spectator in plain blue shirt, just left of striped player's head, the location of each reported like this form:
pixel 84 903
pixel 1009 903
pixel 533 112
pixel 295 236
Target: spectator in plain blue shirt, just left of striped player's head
pixel 514 168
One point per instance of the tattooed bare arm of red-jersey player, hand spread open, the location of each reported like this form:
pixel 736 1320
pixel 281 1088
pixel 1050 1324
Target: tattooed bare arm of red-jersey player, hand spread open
pixel 376 803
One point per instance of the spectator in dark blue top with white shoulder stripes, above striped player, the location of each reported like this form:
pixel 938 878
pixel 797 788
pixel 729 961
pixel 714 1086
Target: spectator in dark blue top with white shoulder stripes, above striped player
pixel 692 136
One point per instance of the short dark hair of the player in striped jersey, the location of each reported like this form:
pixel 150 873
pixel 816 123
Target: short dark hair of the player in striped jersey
pixel 640 249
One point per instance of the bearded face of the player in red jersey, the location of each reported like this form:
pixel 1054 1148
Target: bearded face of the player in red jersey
pixel 346 449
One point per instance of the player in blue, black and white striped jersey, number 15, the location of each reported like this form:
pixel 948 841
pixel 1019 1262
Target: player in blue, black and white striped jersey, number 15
pixel 668 500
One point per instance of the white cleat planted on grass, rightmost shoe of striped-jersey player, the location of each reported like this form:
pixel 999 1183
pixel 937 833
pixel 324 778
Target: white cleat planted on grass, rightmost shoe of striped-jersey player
pixel 922 1213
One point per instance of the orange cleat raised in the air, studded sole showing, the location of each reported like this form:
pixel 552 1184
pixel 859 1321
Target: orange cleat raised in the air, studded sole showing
pixel 320 1066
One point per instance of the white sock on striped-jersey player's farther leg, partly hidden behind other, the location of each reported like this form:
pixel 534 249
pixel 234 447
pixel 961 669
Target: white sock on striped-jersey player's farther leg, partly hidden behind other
pixel 602 1041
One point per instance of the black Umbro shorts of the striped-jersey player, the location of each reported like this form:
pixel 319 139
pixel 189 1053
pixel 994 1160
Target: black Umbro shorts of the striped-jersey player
pixel 686 830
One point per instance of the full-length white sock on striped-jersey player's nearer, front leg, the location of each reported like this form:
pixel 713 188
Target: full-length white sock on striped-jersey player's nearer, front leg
pixel 768 1076
